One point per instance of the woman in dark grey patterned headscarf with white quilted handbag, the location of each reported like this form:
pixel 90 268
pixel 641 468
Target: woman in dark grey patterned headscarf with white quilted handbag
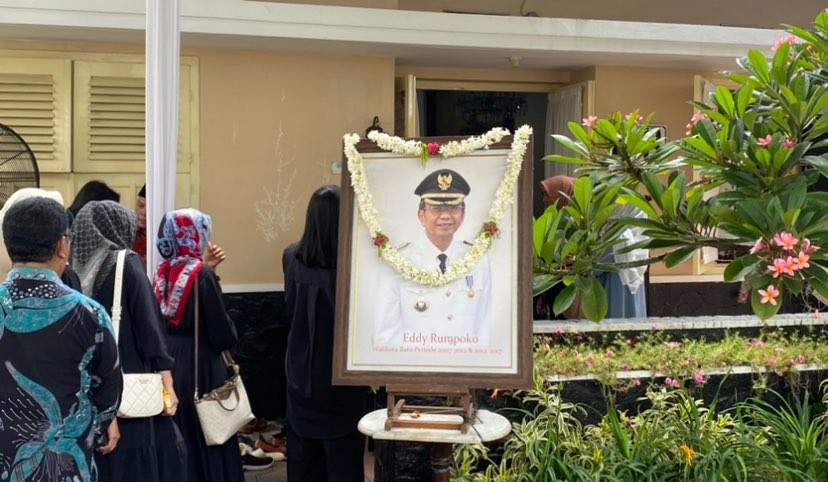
pixel 150 449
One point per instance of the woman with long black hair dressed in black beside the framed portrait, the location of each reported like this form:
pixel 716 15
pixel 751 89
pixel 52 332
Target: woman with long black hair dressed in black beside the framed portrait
pixel 323 441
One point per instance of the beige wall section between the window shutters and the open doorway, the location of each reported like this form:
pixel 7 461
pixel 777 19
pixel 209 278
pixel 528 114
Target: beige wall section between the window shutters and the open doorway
pixel 271 125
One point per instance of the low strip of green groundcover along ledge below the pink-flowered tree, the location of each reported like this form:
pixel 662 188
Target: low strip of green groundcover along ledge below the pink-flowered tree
pixel 570 354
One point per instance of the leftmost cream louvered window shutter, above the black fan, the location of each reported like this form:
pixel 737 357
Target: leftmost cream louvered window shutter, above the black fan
pixel 35 101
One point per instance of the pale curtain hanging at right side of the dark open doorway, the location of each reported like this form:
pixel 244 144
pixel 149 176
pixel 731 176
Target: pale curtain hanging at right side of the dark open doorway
pixel 564 106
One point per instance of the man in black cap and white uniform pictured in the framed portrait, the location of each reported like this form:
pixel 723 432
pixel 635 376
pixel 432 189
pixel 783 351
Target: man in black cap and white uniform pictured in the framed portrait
pixel 454 315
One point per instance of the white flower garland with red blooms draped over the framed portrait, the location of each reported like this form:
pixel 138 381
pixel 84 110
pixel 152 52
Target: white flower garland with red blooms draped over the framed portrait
pixel 482 242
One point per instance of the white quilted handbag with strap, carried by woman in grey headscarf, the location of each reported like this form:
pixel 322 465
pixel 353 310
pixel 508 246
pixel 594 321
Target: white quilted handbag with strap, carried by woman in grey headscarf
pixel 143 392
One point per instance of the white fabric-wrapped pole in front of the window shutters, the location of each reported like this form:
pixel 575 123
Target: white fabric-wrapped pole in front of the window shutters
pixel 163 57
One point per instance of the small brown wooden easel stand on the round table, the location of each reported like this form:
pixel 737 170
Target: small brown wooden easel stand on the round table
pixel 452 393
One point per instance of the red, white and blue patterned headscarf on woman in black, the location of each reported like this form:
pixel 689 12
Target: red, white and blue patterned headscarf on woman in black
pixel 182 241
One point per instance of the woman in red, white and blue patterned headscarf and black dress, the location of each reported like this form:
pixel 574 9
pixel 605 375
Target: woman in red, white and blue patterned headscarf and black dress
pixel 180 280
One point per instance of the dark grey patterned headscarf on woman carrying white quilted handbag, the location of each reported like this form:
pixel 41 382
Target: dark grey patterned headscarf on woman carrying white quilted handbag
pixel 100 230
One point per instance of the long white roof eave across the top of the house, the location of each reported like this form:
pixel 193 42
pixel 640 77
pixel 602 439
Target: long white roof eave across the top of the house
pixel 429 39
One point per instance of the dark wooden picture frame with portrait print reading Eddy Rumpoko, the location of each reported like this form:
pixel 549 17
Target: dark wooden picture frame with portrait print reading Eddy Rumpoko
pixel 368 285
